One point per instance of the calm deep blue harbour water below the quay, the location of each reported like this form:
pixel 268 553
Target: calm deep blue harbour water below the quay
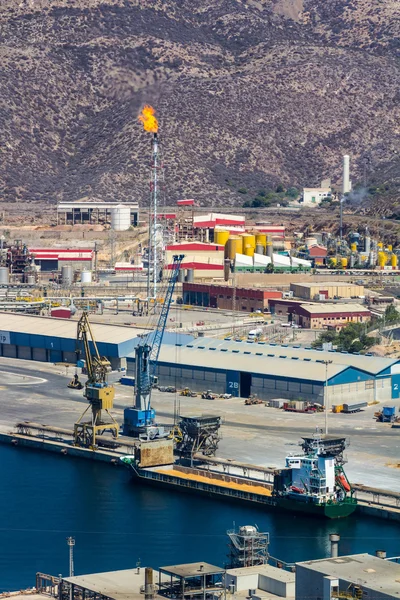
pixel 44 498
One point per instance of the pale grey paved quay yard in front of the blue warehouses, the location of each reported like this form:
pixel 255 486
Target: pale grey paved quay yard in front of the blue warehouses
pixel 253 434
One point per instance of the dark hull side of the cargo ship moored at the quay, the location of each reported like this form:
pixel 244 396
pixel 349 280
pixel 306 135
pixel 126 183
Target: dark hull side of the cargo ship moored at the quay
pixel 331 511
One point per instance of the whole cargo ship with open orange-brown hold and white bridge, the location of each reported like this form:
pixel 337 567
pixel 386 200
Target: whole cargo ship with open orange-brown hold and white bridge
pixel 313 482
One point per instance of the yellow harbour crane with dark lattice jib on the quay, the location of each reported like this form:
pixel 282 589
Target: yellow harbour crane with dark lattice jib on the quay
pixel 97 391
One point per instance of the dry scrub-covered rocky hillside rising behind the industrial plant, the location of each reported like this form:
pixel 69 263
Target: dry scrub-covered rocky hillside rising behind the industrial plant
pixel 249 93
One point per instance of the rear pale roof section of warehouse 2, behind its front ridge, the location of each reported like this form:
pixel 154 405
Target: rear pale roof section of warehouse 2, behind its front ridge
pixel 369 364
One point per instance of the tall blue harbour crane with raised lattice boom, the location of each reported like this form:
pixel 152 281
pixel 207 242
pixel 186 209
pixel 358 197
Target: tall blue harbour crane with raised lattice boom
pixel 140 420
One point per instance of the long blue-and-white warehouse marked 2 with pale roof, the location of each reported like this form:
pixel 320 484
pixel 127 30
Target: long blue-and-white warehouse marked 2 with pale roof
pixel 272 371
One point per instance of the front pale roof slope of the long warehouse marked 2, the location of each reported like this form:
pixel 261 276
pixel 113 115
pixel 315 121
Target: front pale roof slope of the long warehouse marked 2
pixel 258 365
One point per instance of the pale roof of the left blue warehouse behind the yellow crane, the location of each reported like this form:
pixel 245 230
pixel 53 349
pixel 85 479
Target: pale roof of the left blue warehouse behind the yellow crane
pixel 65 328
